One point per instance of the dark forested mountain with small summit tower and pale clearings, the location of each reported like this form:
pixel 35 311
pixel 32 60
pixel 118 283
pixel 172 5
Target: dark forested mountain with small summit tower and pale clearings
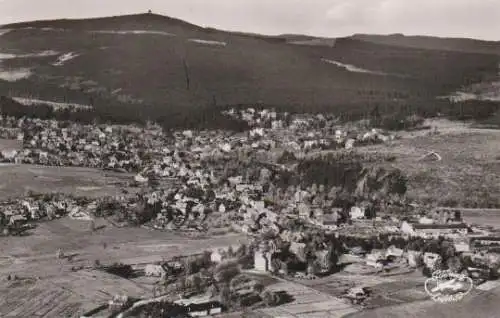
pixel 185 68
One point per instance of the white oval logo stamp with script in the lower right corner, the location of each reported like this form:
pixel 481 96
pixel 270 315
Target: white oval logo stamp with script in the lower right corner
pixel 448 287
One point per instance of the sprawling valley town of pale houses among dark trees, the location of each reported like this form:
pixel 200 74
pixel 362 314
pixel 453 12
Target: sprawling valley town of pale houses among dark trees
pixel 311 212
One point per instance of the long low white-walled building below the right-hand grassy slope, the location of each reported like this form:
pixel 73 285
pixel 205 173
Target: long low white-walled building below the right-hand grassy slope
pixel 434 230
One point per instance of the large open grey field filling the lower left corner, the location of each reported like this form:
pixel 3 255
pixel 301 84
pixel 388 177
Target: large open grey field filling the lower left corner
pixel 43 277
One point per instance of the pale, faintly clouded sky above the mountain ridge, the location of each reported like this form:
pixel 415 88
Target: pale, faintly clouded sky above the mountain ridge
pixel 331 18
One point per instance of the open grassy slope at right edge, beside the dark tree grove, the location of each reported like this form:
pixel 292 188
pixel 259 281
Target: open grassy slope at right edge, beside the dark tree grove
pixel 466 176
